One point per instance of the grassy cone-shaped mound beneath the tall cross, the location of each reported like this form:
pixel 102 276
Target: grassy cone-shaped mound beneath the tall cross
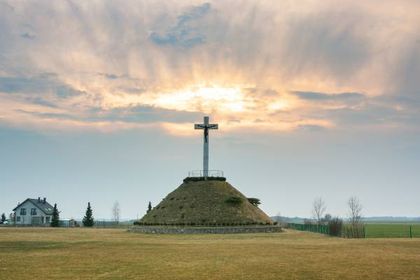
pixel 211 202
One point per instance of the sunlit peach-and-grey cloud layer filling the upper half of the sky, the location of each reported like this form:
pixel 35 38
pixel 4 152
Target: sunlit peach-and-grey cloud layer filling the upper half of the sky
pixel 275 65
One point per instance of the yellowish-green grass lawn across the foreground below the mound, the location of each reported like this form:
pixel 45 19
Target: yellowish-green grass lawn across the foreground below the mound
pixel 116 254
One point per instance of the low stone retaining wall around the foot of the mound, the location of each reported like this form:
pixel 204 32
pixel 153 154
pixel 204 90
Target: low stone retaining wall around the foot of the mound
pixel 204 230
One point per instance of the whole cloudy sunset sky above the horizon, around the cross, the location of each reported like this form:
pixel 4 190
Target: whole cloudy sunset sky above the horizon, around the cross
pixel 313 99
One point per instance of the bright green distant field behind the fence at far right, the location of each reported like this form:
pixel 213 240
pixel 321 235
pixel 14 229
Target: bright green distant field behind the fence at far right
pixel 392 230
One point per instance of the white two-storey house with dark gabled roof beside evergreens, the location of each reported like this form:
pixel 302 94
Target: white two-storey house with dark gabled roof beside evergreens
pixel 33 212
